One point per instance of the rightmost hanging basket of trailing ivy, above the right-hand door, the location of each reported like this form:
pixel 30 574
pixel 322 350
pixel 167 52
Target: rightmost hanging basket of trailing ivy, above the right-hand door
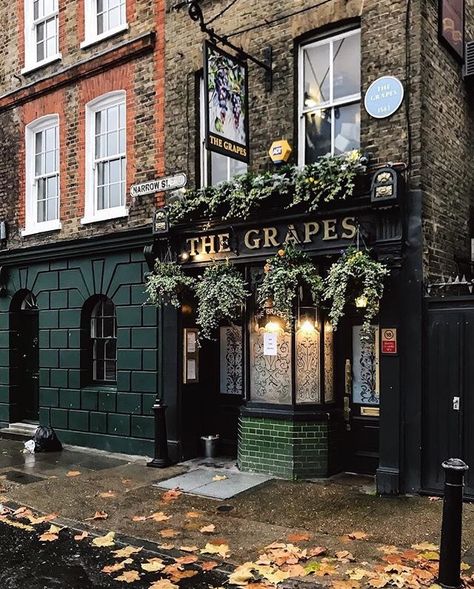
pixel 355 275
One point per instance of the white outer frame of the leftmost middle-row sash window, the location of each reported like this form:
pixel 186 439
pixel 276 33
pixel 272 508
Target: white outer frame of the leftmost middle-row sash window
pixel 31 201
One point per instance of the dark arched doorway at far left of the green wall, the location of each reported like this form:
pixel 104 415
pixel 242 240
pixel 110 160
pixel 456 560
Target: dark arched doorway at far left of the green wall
pixel 24 357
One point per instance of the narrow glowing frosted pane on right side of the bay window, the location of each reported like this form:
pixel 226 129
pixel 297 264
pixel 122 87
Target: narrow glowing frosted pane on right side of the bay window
pixel 308 366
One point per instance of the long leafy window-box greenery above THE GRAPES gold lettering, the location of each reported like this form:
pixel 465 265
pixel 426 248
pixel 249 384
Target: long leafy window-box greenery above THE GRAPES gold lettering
pixel 330 178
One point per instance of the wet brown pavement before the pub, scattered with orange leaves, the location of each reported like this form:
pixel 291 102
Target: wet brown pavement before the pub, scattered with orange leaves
pixel 342 515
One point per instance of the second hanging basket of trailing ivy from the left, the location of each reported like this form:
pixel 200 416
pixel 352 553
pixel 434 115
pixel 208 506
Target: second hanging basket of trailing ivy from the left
pixel 221 292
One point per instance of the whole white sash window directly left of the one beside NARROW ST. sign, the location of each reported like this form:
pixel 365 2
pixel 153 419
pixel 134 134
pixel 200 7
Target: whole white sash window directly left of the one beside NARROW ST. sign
pixel 42 175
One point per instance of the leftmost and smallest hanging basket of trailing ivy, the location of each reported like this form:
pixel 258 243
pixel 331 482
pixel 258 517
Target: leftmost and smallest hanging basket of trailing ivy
pixel 166 284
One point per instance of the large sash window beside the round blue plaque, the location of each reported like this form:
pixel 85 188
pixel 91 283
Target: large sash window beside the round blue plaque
pixel 329 96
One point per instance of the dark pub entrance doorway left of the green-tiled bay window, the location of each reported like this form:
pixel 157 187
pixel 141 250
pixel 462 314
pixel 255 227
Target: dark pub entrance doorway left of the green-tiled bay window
pixel 212 386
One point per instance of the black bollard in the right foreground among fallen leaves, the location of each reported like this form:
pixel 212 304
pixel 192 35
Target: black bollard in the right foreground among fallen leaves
pixel 451 531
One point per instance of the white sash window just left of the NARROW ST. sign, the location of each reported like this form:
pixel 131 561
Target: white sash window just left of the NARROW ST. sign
pixel 106 159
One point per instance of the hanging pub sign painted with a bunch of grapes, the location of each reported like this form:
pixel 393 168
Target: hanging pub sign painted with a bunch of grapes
pixel 226 113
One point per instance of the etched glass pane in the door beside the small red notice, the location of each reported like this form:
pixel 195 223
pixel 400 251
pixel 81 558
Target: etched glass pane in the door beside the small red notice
pixel 365 368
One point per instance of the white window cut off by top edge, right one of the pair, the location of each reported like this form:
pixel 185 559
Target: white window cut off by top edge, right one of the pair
pixel 103 18
